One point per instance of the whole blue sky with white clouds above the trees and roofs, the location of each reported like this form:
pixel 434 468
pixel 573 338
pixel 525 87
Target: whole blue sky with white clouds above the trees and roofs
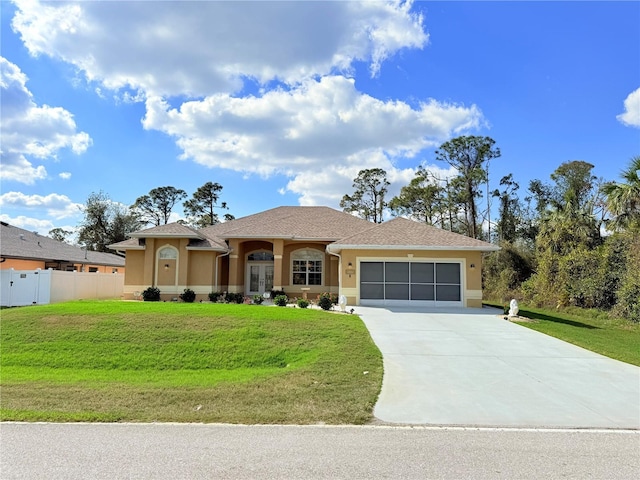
pixel 282 103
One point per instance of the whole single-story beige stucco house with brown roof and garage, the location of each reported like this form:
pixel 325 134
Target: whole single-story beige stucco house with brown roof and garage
pixel 308 251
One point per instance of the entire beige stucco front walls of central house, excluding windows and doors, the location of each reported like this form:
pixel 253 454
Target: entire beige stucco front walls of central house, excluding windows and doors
pixel 196 269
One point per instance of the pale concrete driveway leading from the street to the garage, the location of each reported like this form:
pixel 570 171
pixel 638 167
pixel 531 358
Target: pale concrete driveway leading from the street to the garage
pixel 472 367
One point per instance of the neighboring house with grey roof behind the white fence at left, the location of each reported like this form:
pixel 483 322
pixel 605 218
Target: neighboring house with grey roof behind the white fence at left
pixel 24 250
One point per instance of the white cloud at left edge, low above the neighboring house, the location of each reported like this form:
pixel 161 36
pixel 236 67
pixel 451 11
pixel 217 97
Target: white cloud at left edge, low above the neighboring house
pixel 29 131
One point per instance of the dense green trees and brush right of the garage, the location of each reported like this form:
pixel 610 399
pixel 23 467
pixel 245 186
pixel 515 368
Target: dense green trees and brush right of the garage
pixel 573 241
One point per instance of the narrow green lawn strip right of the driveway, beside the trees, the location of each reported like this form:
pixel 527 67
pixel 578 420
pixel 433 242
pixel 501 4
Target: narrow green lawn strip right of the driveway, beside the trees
pixel 590 329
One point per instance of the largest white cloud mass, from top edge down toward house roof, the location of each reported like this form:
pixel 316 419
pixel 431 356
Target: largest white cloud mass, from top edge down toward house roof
pixel 190 61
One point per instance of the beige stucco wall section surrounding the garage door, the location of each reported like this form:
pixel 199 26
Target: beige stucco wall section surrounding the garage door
pixel 472 276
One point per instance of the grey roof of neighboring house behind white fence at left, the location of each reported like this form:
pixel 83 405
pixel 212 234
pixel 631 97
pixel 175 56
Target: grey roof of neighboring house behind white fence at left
pixel 23 244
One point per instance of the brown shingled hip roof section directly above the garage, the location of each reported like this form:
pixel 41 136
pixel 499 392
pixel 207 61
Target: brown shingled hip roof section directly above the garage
pixel 408 234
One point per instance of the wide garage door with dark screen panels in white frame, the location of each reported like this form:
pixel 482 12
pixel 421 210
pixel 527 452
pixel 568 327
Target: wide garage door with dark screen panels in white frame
pixel 401 283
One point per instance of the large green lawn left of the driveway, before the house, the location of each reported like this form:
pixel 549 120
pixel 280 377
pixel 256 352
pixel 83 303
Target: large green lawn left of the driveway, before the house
pixel 141 361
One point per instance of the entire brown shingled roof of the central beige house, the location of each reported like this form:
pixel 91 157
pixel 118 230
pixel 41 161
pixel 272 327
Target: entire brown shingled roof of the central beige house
pixel 343 230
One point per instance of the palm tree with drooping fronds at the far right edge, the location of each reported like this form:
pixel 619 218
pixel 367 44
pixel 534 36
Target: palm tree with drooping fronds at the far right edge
pixel 623 199
